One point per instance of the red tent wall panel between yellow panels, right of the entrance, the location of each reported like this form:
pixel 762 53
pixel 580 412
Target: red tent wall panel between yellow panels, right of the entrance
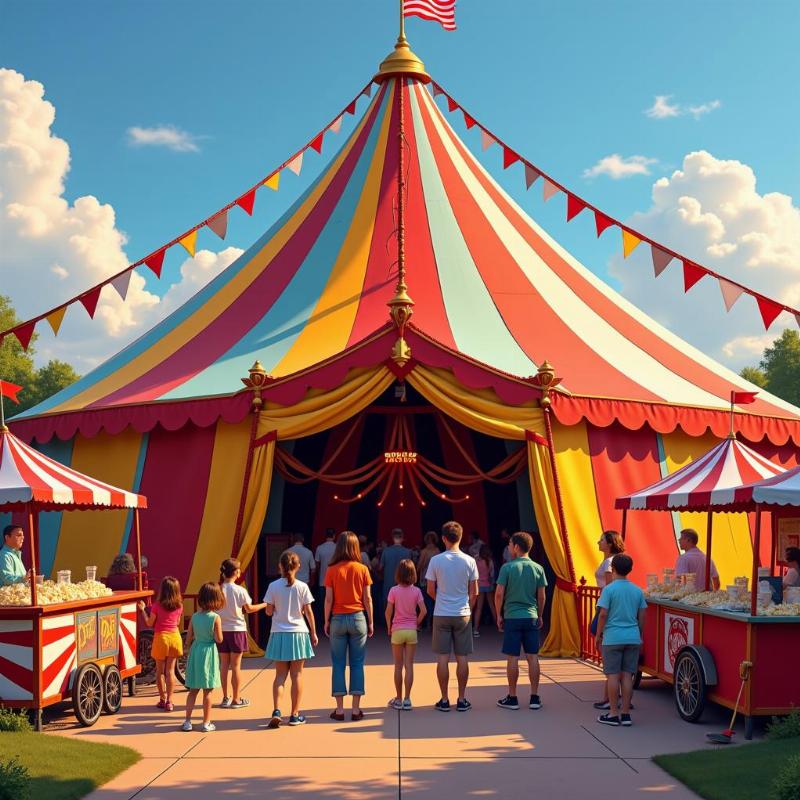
pixel 623 460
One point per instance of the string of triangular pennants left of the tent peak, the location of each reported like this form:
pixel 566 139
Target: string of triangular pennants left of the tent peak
pixel 217 223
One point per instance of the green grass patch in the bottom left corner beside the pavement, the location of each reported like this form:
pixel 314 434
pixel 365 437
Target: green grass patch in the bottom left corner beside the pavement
pixel 65 769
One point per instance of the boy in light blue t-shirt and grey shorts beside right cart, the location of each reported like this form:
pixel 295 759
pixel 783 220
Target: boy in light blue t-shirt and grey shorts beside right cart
pixel 619 636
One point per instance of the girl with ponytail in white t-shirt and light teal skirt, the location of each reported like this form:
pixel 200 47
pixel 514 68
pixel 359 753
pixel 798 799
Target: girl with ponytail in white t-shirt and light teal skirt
pixel 290 644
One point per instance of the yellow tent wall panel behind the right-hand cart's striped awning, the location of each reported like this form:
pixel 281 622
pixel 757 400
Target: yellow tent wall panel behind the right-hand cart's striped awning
pixel 731 547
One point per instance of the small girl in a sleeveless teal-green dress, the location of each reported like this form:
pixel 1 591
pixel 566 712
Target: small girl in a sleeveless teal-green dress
pixel 202 666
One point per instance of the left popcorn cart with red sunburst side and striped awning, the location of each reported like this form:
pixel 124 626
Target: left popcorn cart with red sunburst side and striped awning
pixel 63 641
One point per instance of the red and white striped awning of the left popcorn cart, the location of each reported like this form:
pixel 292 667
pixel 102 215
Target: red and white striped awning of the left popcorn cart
pixel 28 476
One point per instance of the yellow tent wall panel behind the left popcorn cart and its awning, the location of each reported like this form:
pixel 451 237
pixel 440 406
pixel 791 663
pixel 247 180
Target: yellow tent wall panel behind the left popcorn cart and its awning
pixel 94 537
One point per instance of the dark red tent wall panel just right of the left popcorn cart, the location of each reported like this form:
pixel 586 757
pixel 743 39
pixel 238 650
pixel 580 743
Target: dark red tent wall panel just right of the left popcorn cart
pixel 175 482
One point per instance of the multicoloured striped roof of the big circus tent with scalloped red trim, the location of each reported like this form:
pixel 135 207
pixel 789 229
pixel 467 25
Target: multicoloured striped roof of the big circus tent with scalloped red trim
pixel 489 286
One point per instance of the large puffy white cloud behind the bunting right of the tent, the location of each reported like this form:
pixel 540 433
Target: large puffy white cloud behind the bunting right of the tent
pixel 711 212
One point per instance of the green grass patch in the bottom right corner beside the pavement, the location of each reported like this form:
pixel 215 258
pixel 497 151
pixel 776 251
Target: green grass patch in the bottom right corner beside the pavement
pixel 730 773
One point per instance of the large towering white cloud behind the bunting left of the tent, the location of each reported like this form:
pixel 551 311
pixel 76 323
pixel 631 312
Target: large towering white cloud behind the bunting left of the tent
pixel 53 249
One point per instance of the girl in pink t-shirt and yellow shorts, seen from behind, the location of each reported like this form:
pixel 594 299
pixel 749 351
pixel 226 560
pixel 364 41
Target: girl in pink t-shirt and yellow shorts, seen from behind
pixel 405 610
